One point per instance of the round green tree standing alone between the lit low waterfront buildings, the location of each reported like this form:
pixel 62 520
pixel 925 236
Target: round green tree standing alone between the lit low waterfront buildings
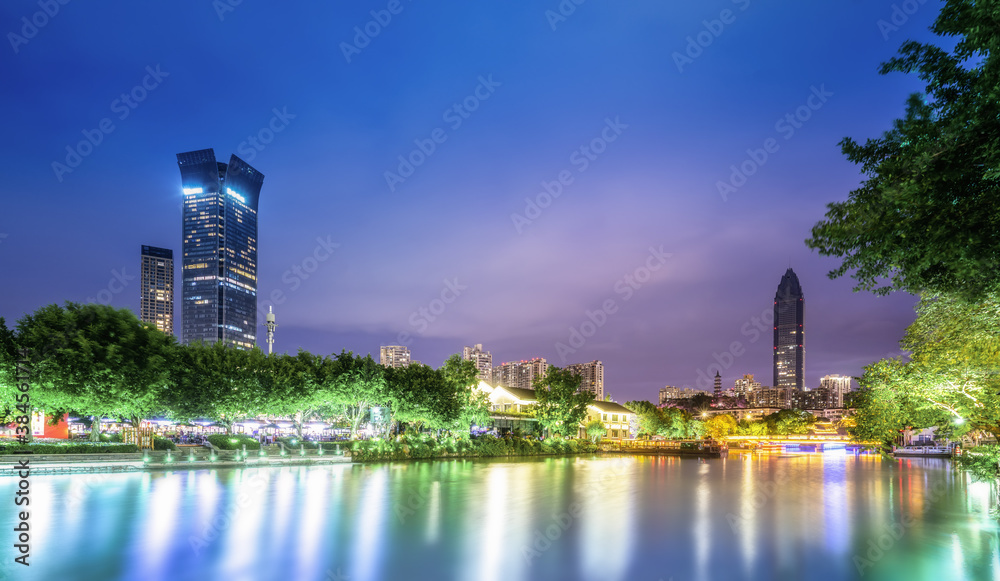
pixel 561 405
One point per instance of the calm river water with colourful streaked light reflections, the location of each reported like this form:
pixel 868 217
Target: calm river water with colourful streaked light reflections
pixel 816 516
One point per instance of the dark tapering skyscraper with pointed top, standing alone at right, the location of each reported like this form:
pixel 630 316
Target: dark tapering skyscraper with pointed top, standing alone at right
pixel 789 354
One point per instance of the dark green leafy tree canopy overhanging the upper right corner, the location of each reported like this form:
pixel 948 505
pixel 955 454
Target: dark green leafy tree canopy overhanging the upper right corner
pixel 927 216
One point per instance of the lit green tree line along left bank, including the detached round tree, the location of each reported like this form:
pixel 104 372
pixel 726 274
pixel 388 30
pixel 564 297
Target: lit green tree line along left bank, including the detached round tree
pixel 100 362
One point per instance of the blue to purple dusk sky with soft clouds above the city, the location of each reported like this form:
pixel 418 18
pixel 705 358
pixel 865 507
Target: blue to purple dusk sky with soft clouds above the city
pixel 601 98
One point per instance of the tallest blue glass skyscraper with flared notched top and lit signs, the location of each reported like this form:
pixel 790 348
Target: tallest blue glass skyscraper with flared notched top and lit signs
pixel 219 293
